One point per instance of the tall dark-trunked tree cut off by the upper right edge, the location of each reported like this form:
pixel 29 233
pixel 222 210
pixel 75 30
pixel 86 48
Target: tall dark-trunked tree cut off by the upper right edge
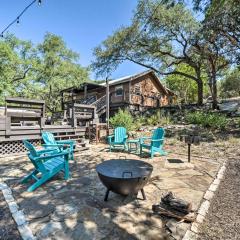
pixel 220 42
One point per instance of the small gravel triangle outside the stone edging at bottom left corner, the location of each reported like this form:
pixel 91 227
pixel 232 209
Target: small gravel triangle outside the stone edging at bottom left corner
pixel 8 228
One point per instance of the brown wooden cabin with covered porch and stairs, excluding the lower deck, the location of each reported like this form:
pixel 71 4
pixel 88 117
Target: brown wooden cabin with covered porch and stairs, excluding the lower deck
pixel 137 93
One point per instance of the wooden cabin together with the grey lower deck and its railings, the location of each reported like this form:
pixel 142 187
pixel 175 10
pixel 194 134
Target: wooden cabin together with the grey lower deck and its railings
pixel 83 111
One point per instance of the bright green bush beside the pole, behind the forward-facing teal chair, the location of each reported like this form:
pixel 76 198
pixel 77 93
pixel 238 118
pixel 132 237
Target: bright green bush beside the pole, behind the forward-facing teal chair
pixel 122 119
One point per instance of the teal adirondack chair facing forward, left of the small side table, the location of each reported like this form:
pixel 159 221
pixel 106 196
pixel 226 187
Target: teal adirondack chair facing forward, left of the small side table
pixel 118 139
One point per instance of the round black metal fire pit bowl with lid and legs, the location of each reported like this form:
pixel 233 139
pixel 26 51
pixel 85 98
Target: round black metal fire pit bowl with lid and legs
pixel 124 176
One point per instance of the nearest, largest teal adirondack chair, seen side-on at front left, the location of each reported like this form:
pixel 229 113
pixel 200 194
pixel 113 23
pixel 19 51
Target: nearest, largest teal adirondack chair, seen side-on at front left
pixel 47 163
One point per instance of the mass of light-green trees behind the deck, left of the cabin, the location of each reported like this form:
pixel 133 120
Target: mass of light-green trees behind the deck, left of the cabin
pixel 38 72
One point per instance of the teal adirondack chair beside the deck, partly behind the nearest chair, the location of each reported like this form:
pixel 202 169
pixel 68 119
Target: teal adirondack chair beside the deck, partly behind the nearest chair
pixel 50 142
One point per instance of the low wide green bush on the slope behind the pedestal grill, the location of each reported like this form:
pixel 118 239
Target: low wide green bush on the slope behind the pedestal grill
pixel 208 120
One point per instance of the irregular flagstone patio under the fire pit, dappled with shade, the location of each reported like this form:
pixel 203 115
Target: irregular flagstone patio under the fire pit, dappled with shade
pixel 75 209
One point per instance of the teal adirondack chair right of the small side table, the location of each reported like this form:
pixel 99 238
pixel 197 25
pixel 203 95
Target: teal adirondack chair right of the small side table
pixel 155 144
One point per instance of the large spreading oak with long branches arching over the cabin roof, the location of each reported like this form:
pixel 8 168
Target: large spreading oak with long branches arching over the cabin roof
pixel 159 38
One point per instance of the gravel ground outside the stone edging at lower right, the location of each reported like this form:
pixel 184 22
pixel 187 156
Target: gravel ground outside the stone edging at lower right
pixel 223 219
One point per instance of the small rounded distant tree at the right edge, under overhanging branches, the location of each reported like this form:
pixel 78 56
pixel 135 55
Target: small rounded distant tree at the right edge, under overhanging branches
pixel 230 85
